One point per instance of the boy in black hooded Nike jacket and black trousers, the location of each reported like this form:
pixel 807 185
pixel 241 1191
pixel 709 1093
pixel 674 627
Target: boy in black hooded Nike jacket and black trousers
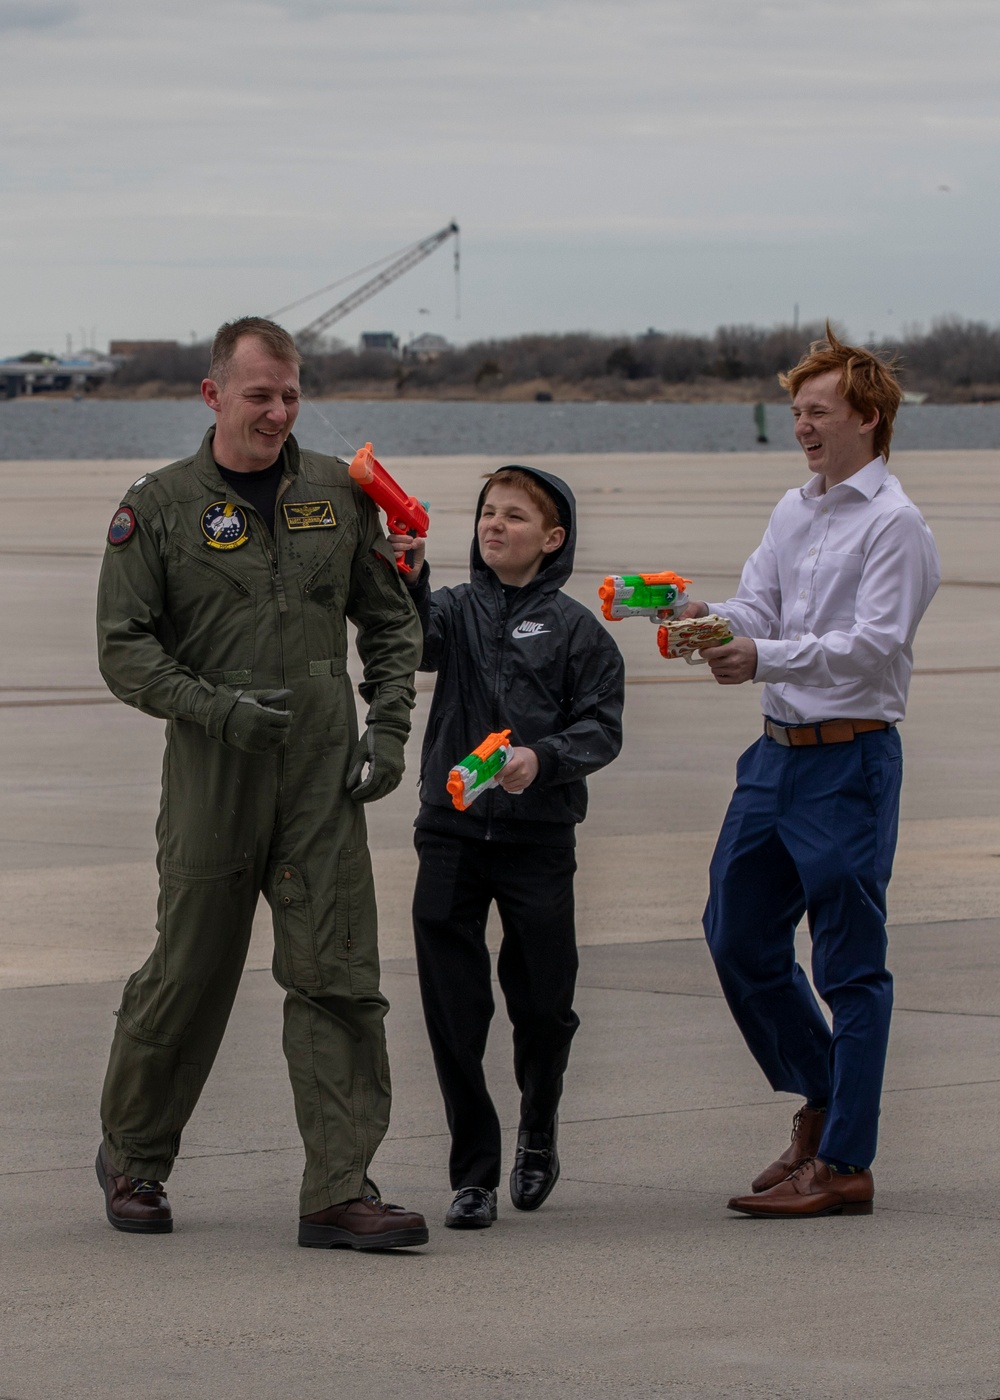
pixel 511 652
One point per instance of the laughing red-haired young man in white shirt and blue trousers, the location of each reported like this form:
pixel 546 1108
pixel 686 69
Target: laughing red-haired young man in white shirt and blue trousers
pixel 826 617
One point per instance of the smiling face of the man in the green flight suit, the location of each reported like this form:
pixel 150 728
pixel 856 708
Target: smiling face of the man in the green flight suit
pixel 256 407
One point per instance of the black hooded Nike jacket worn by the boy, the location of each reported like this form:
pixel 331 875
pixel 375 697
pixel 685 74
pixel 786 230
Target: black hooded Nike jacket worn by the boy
pixel 532 661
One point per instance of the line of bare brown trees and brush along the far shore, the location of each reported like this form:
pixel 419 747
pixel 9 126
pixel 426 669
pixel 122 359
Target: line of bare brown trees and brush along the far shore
pixel 953 360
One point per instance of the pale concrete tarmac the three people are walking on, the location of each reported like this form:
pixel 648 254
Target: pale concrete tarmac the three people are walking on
pixel 634 1280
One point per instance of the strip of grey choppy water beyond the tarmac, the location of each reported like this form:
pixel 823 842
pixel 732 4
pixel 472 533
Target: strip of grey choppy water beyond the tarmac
pixel 170 429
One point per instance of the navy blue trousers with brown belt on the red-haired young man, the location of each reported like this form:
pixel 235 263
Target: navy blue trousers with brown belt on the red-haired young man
pixel 813 832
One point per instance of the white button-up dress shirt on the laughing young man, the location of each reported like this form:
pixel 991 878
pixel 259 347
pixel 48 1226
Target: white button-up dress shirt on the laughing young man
pixel 834 596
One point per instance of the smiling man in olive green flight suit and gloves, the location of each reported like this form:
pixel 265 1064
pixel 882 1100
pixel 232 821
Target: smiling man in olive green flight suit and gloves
pixel 223 608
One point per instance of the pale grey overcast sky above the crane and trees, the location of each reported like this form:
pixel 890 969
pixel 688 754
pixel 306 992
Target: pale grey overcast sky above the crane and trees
pixel 613 164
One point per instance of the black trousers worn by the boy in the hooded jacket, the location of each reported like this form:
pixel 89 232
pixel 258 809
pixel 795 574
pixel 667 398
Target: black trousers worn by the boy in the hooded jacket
pixel 533 887
